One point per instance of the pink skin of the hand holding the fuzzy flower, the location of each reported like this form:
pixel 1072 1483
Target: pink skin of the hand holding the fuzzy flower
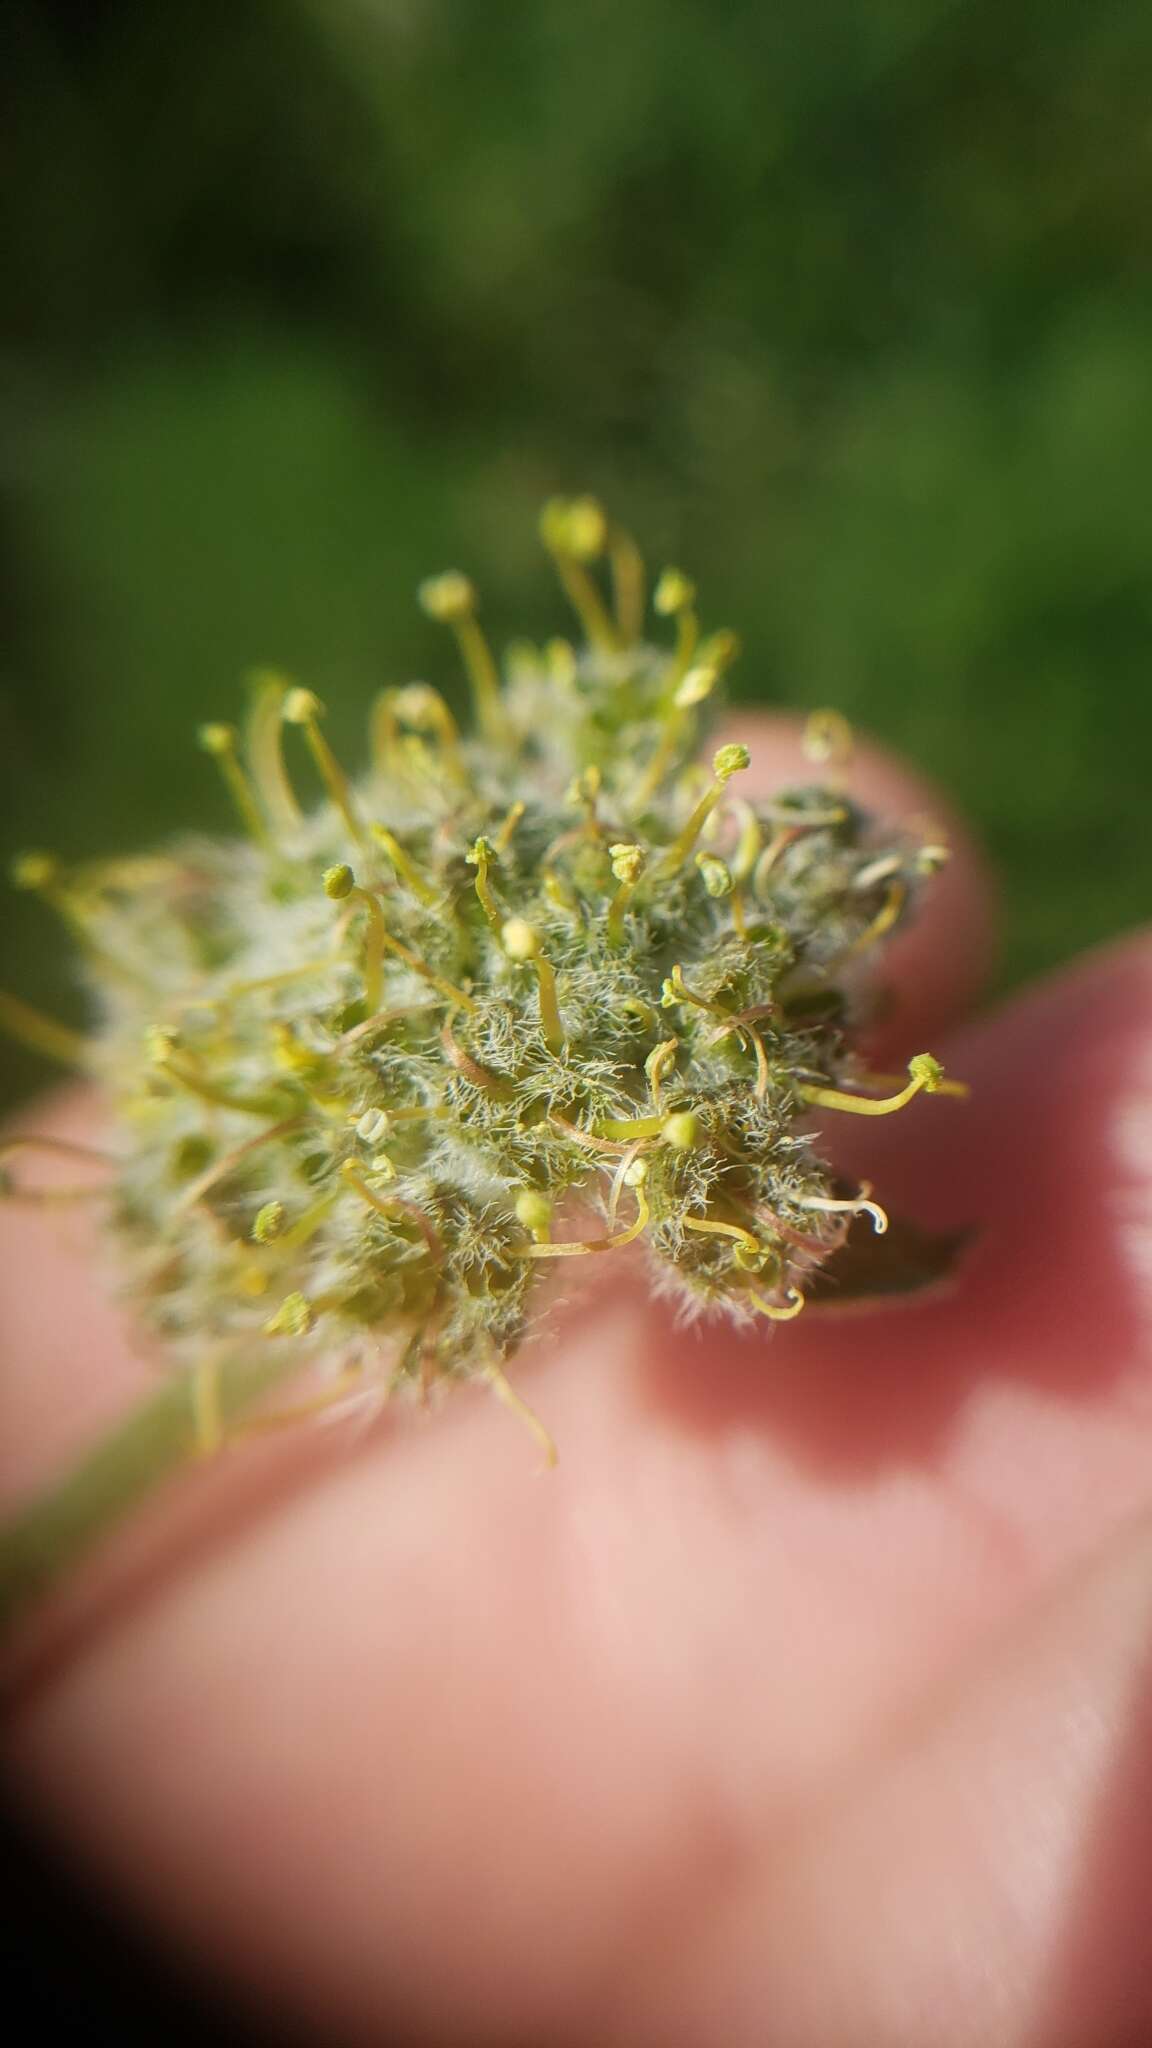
pixel 805 1703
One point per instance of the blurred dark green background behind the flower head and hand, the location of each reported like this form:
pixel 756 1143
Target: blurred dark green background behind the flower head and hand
pixel 846 308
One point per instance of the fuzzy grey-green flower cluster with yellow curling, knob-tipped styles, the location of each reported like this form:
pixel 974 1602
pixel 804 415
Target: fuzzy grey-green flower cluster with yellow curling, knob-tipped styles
pixel 536 994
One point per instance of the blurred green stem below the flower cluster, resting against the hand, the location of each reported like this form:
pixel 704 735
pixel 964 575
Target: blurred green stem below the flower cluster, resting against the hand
pixel 44 1541
